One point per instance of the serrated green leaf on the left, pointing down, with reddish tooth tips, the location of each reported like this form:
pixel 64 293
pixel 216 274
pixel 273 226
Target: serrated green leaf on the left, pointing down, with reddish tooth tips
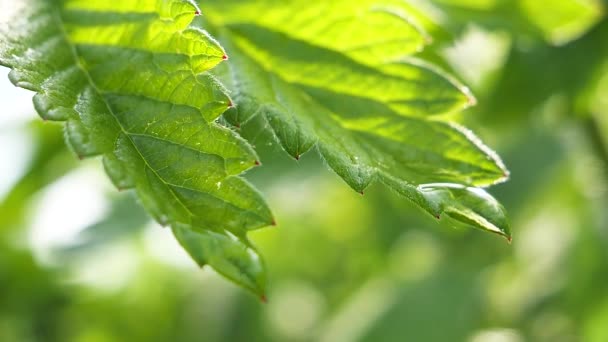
pixel 131 81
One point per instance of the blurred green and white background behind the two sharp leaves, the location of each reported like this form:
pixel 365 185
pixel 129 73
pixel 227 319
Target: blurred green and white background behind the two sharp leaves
pixel 80 262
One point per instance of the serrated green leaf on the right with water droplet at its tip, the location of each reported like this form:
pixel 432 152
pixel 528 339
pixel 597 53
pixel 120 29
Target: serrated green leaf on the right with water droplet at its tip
pixel 372 112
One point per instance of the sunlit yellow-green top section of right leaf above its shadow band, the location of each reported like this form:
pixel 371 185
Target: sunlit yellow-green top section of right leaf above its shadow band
pixel 371 31
